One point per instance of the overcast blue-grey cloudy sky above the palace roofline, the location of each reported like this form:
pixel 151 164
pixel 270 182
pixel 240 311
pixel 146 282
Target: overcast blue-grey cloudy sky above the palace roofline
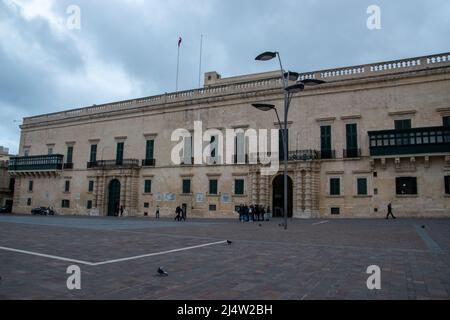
pixel 128 48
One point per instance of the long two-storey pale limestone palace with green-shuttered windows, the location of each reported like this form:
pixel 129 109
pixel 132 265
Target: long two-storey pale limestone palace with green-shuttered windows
pixel 372 134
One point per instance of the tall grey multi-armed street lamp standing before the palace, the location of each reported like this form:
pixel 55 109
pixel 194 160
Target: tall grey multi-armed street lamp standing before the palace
pixel 289 91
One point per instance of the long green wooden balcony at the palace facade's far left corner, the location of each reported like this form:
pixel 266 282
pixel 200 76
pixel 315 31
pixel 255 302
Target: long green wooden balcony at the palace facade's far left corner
pixel 36 163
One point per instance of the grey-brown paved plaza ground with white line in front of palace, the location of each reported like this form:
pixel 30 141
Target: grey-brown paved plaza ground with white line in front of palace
pixel 313 259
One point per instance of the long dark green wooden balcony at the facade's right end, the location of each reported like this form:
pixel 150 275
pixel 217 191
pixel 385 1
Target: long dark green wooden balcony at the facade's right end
pixel 410 141
